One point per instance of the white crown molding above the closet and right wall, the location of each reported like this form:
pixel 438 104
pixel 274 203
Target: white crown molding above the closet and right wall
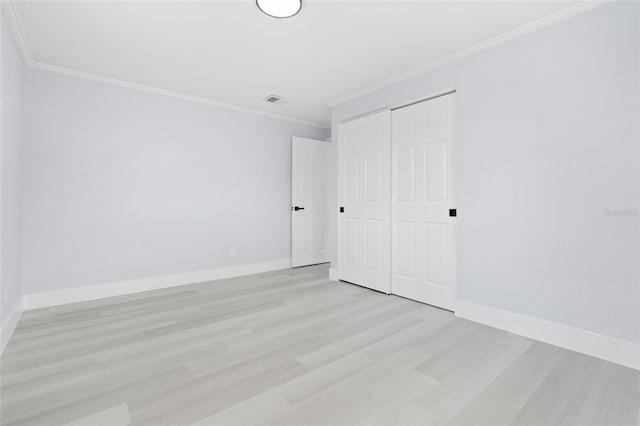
pixel 559 16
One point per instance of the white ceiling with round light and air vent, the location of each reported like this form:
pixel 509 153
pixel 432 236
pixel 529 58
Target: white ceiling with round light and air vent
pixel 229 52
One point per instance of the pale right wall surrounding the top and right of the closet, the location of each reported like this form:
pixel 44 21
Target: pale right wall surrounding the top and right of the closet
pixel 547 169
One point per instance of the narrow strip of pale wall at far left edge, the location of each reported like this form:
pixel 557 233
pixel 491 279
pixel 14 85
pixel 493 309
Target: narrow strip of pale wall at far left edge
pixel 11 123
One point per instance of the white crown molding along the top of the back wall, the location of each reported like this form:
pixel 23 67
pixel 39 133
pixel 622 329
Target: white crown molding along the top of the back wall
pixel 164 92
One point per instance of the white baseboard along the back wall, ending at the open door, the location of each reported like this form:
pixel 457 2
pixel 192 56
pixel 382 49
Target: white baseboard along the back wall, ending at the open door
pixel 118 288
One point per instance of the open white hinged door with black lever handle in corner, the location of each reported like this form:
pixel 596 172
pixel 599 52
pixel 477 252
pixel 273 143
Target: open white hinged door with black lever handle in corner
pixel 309 214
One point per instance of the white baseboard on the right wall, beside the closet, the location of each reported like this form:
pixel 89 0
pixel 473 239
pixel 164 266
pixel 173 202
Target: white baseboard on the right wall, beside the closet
pixel 612 349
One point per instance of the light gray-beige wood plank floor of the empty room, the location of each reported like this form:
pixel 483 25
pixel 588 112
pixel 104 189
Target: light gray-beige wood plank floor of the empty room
pixel 293 348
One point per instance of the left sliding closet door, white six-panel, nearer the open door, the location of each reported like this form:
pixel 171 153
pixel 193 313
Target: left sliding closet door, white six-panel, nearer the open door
pixel 364 192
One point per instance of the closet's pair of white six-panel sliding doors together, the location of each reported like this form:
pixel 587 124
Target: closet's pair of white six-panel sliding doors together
pixel 397 201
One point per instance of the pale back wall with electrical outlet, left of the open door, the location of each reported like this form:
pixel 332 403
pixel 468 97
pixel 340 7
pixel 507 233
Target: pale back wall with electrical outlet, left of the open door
pixel 122 184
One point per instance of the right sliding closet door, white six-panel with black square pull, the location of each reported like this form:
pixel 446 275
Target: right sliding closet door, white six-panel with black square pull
pixel 423 266
